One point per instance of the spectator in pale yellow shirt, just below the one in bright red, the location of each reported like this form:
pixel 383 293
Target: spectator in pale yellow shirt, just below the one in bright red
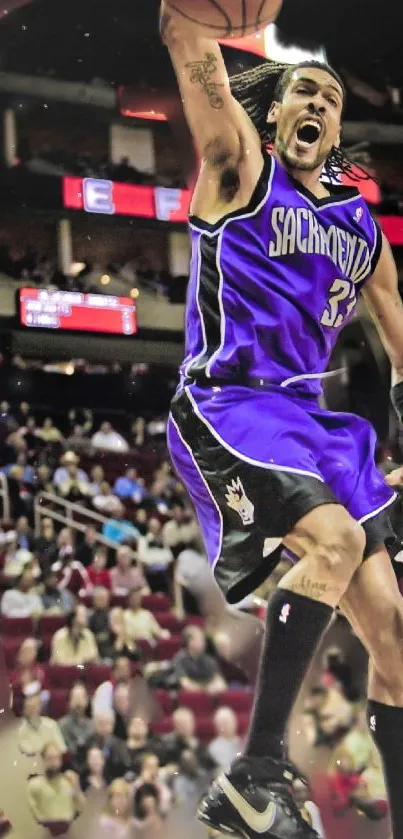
pixel 74 643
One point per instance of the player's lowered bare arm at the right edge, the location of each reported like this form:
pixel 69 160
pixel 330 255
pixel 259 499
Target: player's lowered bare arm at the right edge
pixel 382 298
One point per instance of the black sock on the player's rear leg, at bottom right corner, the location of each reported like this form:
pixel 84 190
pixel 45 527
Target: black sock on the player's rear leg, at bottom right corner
pixel 386 726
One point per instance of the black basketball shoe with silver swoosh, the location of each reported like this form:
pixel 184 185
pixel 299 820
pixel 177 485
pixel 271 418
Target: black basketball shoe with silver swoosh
pixel 253 800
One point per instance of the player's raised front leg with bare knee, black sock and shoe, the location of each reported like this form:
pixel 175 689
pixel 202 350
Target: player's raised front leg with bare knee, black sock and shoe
pixel 254 797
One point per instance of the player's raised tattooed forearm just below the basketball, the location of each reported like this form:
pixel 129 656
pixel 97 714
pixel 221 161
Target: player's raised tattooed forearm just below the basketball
pixel 216 120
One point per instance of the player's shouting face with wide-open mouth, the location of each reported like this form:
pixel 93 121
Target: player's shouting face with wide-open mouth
pixel 308 120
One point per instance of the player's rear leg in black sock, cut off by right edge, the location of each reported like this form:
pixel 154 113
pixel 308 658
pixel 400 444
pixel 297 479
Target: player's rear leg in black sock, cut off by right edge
pixel 374 607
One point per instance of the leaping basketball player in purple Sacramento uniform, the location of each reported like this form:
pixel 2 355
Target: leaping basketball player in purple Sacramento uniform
pixel 279 258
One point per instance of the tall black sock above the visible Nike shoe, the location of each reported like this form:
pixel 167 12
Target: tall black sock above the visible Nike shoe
pixel 294 627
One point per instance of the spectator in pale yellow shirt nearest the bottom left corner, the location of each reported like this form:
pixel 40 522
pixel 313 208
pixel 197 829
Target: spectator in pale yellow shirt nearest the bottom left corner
pixel 55 798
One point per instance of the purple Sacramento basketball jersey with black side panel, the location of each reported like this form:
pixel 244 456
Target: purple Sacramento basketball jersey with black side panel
pixel 272 285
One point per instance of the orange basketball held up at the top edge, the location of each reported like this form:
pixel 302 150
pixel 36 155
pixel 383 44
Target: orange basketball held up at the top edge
pixel 227 18
